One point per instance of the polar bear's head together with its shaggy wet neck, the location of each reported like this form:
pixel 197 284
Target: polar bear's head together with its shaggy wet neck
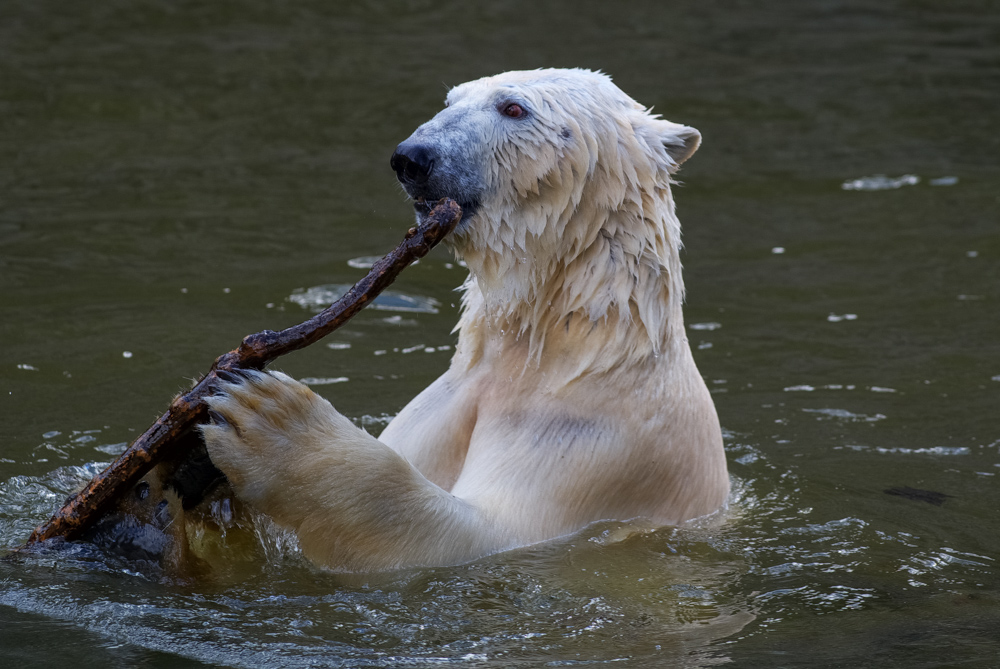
pixel 564 181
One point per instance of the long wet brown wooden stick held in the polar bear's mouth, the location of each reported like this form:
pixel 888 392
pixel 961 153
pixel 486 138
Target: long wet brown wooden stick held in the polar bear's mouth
pixel 163 439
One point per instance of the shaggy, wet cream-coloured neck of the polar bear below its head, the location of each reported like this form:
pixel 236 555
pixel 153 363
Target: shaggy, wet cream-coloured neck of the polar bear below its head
pixel 609 278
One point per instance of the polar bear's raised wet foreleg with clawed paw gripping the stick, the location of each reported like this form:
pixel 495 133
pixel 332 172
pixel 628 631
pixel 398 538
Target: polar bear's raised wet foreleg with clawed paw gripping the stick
pixel 355 504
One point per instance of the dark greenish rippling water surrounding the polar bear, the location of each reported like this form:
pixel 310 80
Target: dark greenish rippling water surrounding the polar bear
pixel 173 176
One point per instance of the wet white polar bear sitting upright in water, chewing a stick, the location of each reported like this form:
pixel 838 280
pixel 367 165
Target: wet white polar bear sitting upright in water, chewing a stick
pixel 572 396
